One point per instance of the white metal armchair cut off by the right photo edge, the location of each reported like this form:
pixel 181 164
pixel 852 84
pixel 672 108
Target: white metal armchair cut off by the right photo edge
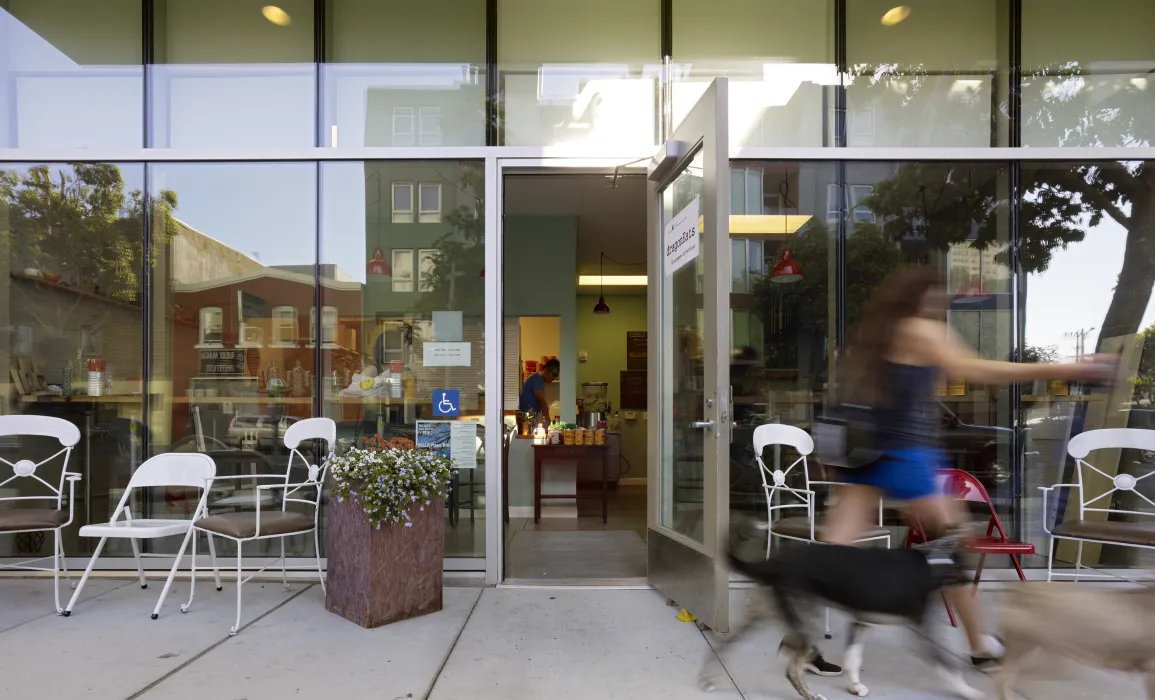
pixel 1097 501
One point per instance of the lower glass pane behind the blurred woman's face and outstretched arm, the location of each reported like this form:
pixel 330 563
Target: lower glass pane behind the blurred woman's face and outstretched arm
pixel 955 218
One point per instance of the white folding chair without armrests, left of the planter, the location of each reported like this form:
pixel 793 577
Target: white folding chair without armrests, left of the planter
pixel 172 470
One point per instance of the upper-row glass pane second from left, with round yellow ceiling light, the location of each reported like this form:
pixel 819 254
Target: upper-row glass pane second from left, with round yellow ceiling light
pixel 233 75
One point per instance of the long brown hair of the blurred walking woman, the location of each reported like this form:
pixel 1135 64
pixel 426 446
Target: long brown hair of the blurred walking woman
pixel 873 339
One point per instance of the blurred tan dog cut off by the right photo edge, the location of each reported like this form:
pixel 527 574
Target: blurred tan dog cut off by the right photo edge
pixel 1107 629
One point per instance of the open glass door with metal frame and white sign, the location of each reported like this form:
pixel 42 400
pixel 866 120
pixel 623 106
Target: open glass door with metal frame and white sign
pixel 689 385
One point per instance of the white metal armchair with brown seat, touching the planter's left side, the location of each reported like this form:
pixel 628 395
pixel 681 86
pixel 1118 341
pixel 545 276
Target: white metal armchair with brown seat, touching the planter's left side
pixel 258 525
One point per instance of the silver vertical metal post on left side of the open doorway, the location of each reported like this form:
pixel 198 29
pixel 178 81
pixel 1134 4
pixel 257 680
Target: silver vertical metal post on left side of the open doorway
pixel 495 425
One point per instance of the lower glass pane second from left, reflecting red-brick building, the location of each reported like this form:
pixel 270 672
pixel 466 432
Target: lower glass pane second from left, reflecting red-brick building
pixel 232 309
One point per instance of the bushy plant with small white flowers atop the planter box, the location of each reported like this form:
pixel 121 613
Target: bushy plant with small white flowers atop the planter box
pixel 390 480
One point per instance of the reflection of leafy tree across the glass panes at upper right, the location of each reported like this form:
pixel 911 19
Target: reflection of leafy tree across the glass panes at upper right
pixel 1065 105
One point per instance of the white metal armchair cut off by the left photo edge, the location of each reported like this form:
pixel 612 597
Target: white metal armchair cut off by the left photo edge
pixel 17 522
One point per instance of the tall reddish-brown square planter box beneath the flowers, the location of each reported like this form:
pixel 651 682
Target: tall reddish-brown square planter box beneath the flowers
pixel 382 577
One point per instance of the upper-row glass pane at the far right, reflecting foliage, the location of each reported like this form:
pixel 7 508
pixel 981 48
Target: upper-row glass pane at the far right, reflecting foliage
pixel 1087 73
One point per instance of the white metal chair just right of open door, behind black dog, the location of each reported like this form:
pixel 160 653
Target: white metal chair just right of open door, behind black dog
pixel 799 528
